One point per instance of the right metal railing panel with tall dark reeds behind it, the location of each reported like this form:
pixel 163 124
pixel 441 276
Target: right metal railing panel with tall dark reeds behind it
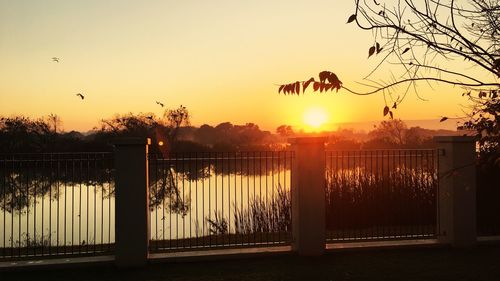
pixel 381 194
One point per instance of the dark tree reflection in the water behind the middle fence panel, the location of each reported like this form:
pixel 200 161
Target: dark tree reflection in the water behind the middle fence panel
pixel 166 175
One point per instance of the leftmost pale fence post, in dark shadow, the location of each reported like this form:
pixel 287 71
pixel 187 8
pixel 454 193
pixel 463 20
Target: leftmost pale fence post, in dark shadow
pixel 132 202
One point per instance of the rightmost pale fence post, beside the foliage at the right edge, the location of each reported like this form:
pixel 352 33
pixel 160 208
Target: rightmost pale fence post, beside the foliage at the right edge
pixel 457 190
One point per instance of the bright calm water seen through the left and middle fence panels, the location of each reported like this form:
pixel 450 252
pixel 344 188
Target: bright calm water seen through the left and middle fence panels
pixel 68 213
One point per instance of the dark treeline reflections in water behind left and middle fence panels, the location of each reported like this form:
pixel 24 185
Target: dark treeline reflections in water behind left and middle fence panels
pixel 26 179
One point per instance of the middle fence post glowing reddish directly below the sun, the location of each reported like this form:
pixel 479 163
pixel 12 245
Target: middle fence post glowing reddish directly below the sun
pixel 308 196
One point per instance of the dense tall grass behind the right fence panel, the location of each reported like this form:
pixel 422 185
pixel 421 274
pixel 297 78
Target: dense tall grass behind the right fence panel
pixel 364 200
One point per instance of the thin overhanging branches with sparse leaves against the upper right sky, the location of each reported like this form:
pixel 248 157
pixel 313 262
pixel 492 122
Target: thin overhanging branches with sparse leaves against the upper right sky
pixel 412 37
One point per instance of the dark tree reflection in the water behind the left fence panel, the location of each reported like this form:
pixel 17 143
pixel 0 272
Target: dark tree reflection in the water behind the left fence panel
pixel 25 179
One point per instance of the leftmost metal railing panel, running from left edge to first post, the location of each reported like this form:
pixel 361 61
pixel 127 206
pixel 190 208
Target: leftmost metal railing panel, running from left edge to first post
pixel 56 204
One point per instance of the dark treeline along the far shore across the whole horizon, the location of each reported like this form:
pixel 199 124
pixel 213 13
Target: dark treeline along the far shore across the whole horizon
pixel 173 133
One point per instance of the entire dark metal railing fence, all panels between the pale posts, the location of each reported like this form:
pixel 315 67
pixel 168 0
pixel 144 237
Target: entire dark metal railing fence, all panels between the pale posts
pixel 55 204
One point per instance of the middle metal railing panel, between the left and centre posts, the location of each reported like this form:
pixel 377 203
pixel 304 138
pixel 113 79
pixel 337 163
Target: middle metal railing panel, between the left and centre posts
pixel 216 200
